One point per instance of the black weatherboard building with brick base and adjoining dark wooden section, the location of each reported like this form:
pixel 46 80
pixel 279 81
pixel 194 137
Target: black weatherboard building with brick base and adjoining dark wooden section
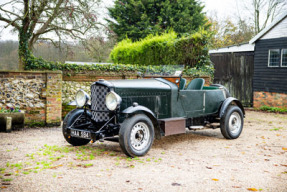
pixel 256 73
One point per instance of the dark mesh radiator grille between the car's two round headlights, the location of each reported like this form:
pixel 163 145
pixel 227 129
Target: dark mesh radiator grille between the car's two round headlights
pixel 98 95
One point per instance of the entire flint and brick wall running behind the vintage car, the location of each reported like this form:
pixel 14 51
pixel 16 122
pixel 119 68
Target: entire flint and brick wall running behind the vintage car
pixel 44 95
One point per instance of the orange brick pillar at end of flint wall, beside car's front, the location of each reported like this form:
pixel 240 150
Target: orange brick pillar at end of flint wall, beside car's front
pixel 54 98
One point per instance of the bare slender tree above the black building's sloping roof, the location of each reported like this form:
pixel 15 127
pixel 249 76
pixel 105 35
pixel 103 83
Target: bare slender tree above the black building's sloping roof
pixel 264 11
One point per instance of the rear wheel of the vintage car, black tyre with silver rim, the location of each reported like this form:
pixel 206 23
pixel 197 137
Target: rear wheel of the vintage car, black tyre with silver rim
pixel 231 124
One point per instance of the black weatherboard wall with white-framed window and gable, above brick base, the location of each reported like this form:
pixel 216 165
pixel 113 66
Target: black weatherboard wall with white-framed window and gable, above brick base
pixel 270 60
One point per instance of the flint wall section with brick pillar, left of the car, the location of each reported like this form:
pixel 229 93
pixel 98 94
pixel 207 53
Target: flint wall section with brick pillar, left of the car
pixel 38 94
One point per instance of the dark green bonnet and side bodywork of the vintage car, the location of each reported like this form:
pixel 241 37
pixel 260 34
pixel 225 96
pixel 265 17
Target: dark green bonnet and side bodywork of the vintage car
pixel 164 99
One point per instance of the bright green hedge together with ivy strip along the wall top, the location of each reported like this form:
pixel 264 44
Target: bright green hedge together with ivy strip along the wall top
pixel 148 54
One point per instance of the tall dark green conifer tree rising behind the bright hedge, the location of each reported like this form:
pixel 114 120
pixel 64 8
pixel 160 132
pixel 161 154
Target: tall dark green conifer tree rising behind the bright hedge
pixel 136 19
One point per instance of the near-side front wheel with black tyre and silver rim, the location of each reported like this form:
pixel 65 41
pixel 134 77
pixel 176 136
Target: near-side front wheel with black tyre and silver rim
pixel 136 135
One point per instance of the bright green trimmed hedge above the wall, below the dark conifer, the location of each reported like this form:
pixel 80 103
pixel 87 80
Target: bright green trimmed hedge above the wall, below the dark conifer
pixel 165 49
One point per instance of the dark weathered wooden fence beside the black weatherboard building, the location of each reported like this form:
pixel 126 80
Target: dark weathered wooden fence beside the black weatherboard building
pixel 235 72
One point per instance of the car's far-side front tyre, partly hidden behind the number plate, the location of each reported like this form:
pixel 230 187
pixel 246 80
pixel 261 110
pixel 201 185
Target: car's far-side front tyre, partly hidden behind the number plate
pixel 68 121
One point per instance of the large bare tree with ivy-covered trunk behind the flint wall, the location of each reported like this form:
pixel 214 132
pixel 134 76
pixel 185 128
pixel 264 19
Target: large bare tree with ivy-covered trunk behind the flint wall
pixel 43 19
